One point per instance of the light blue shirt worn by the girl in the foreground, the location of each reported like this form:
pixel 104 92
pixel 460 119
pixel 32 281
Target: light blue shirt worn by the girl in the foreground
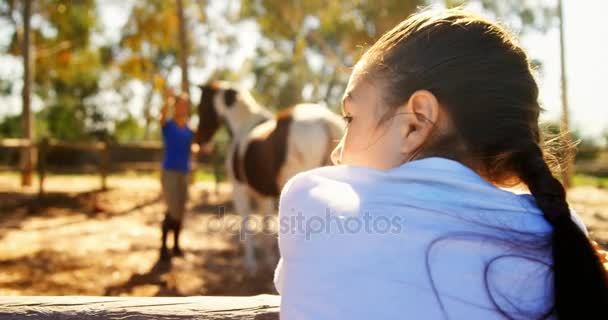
pixel 412 242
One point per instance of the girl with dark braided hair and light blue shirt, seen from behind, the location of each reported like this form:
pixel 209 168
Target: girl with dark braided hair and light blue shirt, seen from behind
pixel 411 223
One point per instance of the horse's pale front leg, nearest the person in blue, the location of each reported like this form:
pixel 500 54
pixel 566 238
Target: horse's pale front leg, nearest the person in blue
pixel 242 204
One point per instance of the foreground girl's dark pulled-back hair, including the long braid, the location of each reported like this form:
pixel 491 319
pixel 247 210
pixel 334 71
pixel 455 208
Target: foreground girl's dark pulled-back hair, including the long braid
pixel 483 79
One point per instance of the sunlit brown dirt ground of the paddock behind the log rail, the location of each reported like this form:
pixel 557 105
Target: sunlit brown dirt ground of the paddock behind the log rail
pixel 78 241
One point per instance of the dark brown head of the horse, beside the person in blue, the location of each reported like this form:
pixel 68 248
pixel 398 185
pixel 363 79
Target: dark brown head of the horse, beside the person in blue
pixel 216 100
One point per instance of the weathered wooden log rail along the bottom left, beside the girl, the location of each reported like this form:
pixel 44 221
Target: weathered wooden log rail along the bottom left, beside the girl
pixel 261 307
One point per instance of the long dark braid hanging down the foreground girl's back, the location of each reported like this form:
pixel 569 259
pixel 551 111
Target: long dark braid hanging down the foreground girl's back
pixel 576 266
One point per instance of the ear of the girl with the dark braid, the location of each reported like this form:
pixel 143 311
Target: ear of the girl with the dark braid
pixel 422 112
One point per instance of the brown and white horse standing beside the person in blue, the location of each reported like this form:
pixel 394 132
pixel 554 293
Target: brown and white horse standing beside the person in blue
pixel 265 150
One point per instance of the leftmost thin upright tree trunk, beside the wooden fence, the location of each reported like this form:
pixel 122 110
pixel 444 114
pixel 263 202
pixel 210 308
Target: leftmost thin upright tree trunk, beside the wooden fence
pixel 27 161
